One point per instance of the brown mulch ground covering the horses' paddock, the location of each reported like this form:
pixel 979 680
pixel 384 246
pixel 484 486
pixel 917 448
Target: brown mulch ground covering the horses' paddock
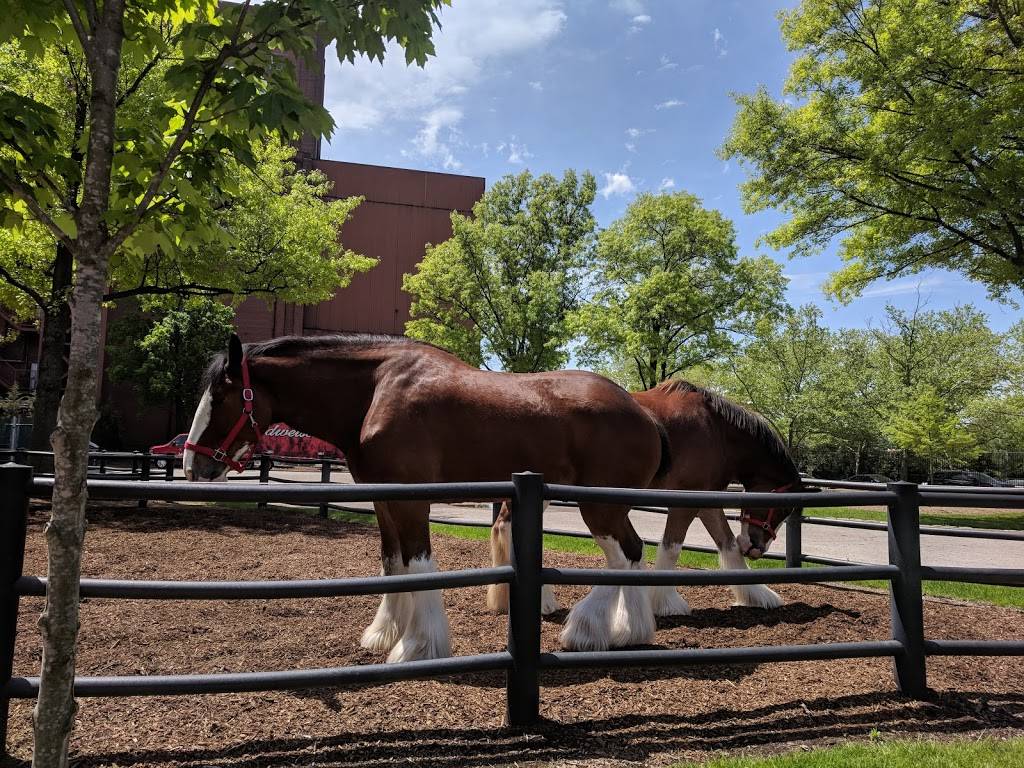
pixel 628 717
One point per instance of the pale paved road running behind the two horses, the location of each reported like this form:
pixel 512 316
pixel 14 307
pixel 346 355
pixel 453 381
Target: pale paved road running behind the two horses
pixel 845 544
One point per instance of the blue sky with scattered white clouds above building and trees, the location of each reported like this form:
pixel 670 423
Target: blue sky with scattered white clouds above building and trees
pixel 636 92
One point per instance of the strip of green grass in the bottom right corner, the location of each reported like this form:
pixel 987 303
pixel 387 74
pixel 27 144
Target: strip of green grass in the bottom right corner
pixel 983 754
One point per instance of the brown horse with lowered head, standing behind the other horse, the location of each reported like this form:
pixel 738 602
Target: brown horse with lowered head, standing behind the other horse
pixel 714 443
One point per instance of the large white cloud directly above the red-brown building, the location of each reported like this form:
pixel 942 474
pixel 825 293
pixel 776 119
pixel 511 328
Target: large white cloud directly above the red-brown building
pixel 475 40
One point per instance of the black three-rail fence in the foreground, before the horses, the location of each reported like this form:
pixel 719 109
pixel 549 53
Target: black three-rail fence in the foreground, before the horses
pixel 524 661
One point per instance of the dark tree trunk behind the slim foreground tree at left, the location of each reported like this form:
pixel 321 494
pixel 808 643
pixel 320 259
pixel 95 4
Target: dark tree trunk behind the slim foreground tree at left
pixel 57 325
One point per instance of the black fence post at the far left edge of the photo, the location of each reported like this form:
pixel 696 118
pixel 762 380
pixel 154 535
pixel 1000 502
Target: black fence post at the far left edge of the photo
pixel 16 481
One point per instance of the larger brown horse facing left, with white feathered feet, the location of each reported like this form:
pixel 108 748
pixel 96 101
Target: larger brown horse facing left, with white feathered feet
pixel 407 412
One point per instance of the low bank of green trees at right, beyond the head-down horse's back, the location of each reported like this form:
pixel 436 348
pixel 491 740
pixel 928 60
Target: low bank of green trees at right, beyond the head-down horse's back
pixel 938 385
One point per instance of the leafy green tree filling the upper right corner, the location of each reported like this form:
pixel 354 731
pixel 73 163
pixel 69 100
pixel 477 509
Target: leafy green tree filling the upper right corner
pixel 901 133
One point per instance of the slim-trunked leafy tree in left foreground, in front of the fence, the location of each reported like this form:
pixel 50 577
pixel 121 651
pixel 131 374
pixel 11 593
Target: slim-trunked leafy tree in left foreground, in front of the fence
pixel 118 179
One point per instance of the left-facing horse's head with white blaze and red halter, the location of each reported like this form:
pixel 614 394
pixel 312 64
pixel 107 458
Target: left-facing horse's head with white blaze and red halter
pixel 226 430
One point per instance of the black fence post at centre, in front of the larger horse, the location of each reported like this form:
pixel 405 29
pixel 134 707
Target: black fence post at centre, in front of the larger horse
pixel 524 682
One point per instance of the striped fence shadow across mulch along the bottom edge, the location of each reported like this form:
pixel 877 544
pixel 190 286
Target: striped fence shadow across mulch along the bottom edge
pixel 627 740
